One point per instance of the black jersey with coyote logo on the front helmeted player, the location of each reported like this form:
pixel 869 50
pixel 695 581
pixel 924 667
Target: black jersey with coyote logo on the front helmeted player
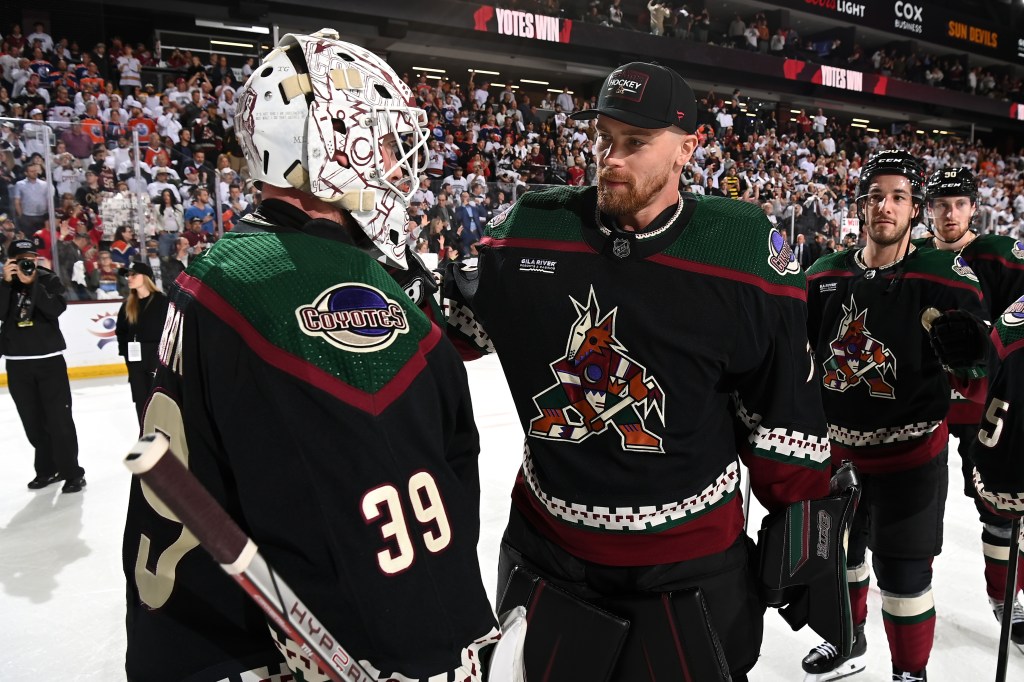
pixel 885 393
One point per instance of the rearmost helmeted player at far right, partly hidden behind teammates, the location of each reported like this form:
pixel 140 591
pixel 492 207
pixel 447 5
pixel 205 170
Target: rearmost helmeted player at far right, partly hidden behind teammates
pixel 999 263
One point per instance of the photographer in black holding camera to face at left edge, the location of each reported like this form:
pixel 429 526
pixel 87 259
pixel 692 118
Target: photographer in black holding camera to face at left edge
pixel 31 301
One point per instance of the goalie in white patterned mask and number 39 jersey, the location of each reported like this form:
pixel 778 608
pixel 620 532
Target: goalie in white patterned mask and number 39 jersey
pixel 317 403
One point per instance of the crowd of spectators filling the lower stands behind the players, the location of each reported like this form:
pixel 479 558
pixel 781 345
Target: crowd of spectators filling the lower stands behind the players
pixel 489 144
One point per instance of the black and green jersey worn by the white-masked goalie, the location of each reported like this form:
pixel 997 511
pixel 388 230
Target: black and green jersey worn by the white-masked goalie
pixel 332 420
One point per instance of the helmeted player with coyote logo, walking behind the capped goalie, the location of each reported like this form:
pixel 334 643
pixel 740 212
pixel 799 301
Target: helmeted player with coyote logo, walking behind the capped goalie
pixel 886 397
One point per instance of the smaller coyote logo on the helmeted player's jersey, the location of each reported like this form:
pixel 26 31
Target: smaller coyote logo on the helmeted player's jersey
pixel 859 357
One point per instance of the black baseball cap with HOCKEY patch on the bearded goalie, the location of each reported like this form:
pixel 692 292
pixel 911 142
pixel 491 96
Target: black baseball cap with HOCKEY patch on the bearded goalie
pixel 648 96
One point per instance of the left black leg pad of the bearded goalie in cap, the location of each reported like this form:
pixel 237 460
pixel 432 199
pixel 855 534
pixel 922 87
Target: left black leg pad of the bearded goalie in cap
pixel 569 638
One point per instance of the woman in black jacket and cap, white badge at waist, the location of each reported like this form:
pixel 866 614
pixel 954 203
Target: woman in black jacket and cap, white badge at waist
pixel 141 322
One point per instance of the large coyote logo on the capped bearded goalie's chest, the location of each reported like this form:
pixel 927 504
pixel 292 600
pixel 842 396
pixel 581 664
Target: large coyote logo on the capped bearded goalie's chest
pixel 599 386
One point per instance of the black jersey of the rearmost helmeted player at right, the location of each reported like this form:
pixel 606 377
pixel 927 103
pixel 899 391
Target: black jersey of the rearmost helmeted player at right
pixel 999 263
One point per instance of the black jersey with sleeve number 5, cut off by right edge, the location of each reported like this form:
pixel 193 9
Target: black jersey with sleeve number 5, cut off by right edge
pixel 999 473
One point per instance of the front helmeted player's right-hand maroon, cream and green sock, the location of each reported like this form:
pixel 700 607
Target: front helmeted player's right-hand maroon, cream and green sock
pixel 910 623
